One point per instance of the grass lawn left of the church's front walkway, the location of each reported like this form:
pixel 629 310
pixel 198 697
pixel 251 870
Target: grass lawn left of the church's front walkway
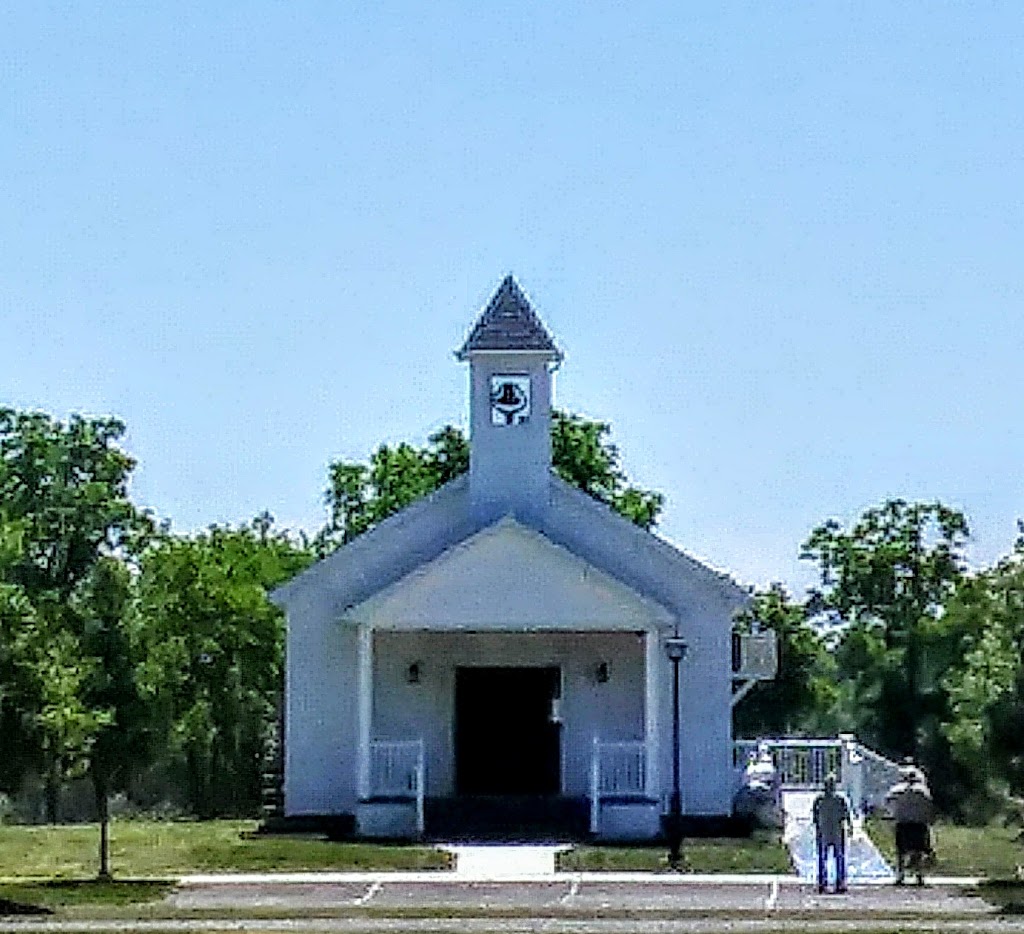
pixel 163 850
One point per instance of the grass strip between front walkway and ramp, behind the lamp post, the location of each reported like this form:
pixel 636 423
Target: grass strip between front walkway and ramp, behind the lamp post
pixel 761 854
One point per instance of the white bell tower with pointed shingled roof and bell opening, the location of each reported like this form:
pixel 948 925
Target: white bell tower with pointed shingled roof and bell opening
pixel 511 360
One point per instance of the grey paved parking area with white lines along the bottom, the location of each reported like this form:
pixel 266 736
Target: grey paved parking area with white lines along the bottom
pixel 571 905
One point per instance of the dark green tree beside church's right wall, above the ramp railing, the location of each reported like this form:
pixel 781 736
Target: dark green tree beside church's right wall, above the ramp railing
pixel 802 696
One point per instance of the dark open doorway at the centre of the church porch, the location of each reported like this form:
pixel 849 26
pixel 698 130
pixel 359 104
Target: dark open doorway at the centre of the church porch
pixel 506 741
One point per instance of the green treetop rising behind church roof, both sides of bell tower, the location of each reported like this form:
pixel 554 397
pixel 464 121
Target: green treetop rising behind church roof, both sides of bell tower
pixel 360 496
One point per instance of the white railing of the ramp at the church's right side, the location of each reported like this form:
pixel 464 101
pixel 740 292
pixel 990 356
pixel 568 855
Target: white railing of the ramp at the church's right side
pixel 863 775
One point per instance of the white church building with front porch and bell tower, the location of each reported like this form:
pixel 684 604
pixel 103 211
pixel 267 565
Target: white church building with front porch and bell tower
pixel 503 641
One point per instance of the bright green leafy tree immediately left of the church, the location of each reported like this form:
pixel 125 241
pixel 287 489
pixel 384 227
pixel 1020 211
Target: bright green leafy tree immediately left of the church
pixel 212 649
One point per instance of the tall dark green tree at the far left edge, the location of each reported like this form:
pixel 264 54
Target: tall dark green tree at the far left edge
pixel 64 486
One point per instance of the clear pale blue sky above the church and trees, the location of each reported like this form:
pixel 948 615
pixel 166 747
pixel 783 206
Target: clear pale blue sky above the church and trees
pixel 782 244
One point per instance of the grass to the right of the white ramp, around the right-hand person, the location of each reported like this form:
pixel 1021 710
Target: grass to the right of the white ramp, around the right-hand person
pixel 993 852
